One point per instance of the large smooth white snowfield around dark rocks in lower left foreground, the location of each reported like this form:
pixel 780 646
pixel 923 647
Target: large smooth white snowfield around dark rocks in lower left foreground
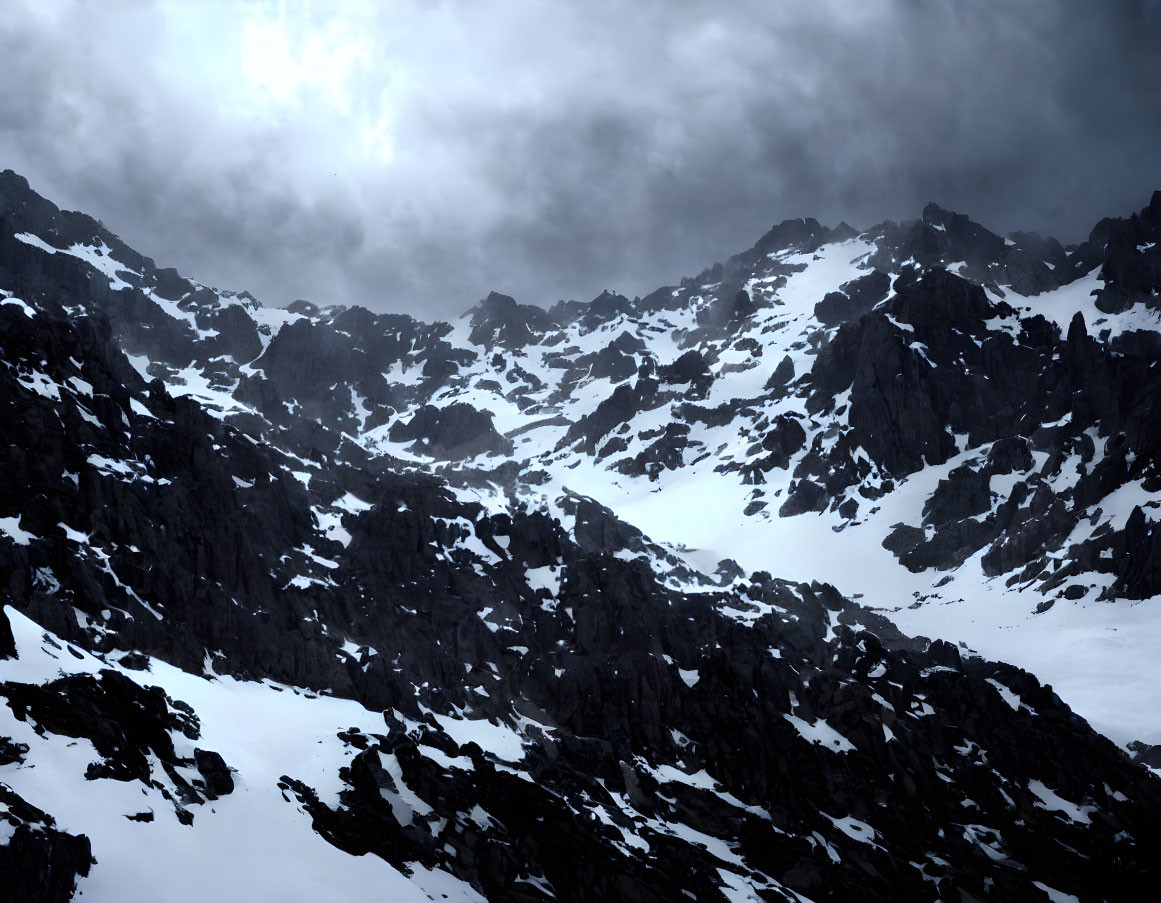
pixel 253 844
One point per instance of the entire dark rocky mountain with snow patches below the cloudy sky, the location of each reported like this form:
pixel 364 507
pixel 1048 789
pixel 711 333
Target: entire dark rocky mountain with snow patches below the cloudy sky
pixel 619 601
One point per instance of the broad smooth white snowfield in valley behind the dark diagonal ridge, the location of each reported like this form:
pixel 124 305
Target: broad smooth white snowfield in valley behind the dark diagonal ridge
pixel 1099 656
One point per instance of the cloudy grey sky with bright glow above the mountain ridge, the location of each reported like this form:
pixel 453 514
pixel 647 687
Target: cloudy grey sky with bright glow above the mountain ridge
pixel 415 155
